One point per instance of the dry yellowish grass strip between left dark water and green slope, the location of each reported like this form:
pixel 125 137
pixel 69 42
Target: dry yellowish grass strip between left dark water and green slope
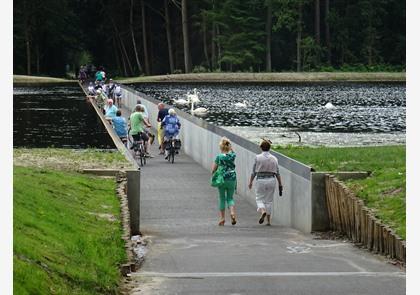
pixel 69 159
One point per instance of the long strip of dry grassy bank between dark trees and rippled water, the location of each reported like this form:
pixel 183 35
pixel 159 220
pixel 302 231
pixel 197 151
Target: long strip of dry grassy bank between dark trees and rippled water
pixel 272 77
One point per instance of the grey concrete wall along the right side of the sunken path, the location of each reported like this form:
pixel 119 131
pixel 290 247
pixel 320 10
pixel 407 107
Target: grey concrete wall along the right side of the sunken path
pixel 200 140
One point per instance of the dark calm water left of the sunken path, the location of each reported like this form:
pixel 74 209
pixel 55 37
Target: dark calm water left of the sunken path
pixel 56 116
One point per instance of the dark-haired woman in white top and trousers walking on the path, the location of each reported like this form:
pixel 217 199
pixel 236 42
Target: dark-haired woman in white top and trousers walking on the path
pixel 266 170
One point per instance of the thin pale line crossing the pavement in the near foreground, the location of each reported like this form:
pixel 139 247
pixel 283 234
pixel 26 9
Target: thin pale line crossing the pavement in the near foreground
pixel 196 275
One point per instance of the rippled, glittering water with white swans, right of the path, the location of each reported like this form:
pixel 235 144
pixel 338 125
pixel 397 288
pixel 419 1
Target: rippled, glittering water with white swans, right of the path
pixel 358 107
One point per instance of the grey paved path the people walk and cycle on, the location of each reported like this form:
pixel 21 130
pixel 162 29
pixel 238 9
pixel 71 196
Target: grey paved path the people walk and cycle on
pixel 190 254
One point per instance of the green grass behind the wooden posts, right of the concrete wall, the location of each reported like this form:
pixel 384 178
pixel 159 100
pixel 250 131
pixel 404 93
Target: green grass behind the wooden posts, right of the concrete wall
pixel 384 191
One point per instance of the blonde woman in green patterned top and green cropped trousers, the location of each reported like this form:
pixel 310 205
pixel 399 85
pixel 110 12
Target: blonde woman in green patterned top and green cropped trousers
pixel 226 160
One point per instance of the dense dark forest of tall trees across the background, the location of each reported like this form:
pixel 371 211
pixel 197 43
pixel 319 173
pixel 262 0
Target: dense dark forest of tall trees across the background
pixel 145 37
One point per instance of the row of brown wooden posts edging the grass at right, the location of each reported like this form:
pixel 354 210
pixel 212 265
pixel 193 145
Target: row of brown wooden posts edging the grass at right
pixel 349 215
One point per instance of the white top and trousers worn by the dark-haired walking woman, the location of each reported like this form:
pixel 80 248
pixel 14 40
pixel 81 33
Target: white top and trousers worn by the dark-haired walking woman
pixel 265 169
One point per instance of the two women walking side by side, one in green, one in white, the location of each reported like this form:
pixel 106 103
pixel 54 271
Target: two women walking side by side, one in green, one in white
pixel 265 171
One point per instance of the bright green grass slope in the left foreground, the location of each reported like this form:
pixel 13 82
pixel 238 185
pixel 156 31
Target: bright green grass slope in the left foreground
pixel 61 245
